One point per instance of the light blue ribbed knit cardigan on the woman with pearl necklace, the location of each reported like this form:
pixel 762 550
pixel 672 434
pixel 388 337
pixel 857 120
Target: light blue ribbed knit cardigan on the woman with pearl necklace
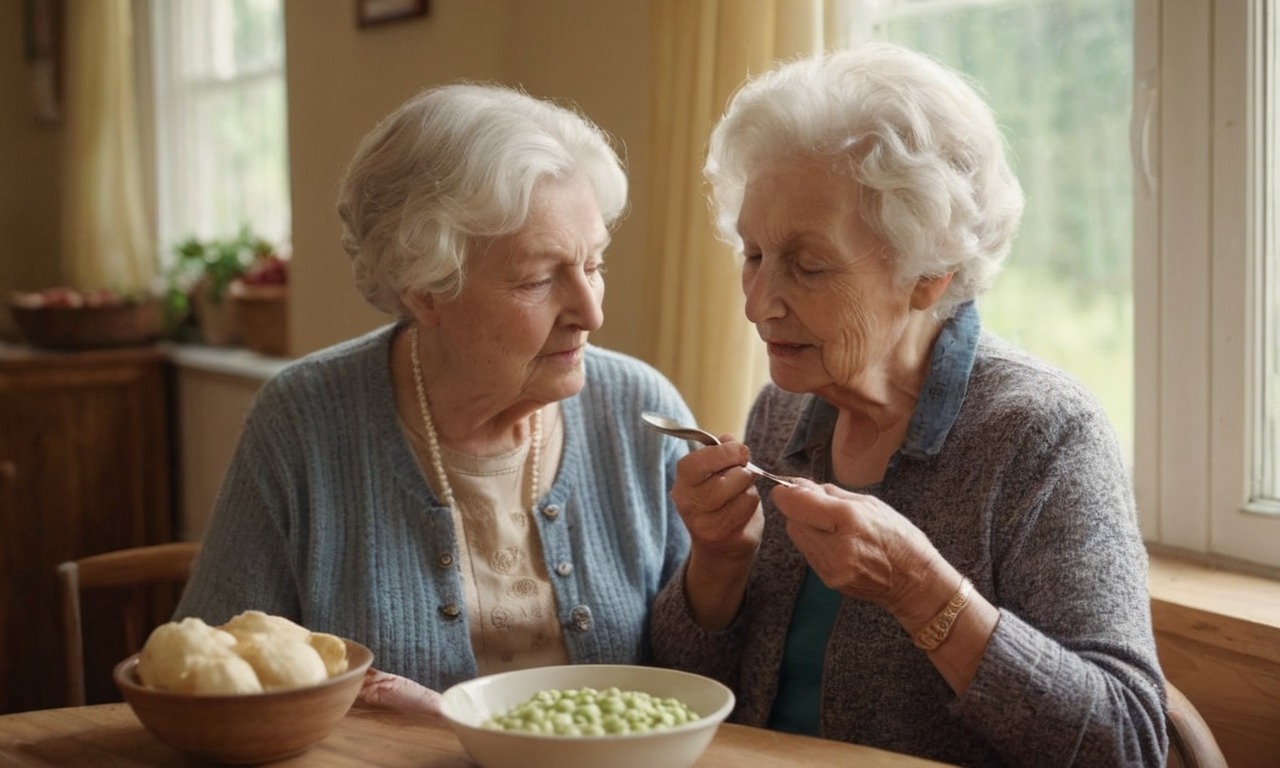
pixel 326 518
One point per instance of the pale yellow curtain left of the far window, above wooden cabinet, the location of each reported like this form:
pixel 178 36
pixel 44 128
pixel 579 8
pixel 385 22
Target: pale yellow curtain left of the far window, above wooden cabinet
pixel 104 228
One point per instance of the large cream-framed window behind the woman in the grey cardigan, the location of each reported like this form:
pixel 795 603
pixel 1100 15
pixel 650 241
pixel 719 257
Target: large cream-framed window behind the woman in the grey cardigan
pixel 1146 139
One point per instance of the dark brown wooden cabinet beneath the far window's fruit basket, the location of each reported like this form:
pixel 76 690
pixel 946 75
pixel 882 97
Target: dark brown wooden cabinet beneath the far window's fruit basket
pixel 85 468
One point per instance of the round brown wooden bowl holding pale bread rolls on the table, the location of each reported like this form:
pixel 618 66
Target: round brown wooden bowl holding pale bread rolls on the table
pixel 245 729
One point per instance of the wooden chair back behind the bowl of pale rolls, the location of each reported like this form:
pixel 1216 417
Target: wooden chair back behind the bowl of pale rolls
pixel 134 568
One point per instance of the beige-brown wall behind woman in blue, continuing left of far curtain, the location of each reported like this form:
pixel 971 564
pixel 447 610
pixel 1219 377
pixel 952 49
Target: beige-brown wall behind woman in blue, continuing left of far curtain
pixel 341 81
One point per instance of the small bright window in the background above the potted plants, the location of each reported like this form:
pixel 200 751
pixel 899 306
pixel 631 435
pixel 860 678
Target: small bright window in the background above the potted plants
pixel 221 120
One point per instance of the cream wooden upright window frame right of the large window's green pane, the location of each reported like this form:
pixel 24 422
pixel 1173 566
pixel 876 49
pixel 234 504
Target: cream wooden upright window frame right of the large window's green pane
pixel 1199 260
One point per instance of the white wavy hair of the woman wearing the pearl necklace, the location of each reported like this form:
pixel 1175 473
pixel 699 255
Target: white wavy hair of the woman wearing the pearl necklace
pixel 452 166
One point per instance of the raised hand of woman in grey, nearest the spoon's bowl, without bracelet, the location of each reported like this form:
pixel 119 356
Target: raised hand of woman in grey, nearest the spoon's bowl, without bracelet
pixel 719 502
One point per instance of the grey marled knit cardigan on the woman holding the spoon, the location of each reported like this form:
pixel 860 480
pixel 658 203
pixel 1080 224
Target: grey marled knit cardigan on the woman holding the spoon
pixel 1030 499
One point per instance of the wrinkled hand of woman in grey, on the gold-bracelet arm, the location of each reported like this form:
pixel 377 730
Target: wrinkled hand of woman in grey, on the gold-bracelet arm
pixel 856 543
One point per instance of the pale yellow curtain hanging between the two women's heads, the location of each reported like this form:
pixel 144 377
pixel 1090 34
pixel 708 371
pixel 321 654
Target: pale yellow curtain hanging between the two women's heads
pixel 703 52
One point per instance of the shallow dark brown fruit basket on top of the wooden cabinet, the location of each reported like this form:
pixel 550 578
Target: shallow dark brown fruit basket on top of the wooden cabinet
pixel 90 328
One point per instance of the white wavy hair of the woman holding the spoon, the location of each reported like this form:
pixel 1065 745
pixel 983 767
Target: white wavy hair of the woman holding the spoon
pixel 911 131
